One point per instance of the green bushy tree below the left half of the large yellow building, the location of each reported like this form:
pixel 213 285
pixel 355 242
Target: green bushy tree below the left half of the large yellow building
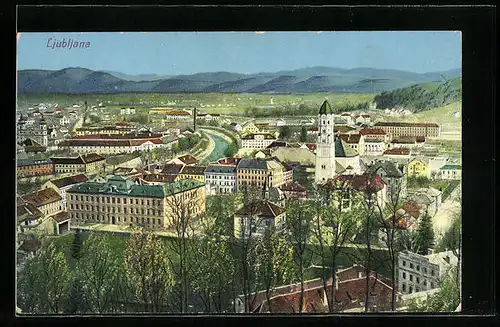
pixel 97 270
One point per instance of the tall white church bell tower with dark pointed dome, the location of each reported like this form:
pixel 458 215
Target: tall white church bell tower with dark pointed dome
pixel 325 149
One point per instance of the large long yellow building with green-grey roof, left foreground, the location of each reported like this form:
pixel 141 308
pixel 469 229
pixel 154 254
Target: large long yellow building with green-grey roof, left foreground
pixel 119 201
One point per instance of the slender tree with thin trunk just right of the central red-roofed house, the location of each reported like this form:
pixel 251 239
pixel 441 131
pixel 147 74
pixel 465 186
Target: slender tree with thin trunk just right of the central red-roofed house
pixel 298 223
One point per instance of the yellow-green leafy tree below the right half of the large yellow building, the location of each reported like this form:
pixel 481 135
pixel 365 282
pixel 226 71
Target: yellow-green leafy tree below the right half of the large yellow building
pixel 148 270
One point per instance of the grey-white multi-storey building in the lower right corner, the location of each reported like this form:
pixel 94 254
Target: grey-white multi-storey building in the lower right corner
pixel 418 273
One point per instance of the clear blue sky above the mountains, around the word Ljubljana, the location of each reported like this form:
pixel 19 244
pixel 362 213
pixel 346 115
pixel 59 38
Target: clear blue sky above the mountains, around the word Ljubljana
pixel 173 53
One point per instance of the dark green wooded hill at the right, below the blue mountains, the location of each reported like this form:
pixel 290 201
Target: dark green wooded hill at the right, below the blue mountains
pixel 421 97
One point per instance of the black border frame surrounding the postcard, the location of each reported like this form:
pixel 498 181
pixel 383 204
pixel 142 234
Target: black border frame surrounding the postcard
pixel 478 27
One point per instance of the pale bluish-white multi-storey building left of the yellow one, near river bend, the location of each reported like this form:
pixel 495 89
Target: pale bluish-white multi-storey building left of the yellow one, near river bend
pixel 221 179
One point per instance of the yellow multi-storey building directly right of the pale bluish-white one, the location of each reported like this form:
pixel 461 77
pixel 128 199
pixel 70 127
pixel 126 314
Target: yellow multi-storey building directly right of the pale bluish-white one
pixel 257 172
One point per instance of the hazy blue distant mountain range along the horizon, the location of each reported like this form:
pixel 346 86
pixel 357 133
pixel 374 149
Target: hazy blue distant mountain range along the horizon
pixel 306 80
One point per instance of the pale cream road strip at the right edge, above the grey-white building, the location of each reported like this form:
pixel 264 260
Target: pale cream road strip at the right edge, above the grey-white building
pixel 447 213
